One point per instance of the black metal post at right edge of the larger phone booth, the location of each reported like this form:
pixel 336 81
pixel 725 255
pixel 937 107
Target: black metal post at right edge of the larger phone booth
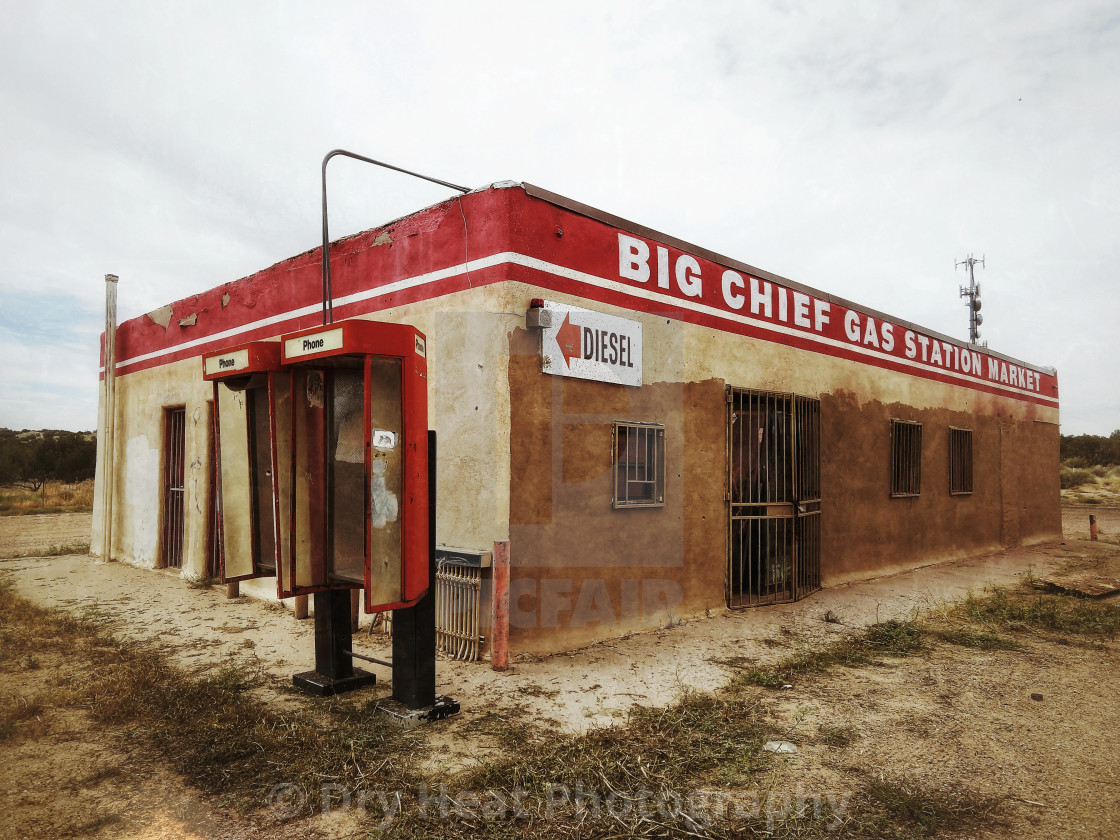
pixel 415 628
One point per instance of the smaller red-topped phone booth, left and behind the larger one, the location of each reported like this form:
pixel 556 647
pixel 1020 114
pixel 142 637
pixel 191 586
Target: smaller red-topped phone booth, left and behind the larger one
pixel 249 394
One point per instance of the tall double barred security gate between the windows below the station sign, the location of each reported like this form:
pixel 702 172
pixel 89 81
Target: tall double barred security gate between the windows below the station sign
pixel 774 497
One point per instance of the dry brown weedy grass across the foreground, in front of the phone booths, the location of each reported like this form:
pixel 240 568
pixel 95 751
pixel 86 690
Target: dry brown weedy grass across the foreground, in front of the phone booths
pixel 228 734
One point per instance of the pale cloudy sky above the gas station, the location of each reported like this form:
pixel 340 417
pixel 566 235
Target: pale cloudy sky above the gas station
pixel 861 148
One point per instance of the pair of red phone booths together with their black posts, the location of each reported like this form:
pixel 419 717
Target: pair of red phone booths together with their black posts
pixel 326 482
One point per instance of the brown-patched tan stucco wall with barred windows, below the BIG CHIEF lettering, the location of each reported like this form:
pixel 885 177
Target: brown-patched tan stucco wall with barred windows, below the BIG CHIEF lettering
pixel 572 552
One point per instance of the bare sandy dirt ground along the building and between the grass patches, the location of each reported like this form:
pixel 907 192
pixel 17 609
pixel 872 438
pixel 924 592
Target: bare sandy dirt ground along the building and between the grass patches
pixel 956 717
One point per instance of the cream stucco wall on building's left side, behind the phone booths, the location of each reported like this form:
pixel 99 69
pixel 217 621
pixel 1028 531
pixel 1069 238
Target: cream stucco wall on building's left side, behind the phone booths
pixel 469 408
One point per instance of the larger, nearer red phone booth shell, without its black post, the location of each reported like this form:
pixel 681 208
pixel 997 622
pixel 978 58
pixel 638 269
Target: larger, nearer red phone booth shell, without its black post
pixel 359 462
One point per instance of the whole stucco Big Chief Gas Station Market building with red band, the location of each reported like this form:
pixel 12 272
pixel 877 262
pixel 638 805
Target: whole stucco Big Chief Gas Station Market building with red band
pixel 656 430
